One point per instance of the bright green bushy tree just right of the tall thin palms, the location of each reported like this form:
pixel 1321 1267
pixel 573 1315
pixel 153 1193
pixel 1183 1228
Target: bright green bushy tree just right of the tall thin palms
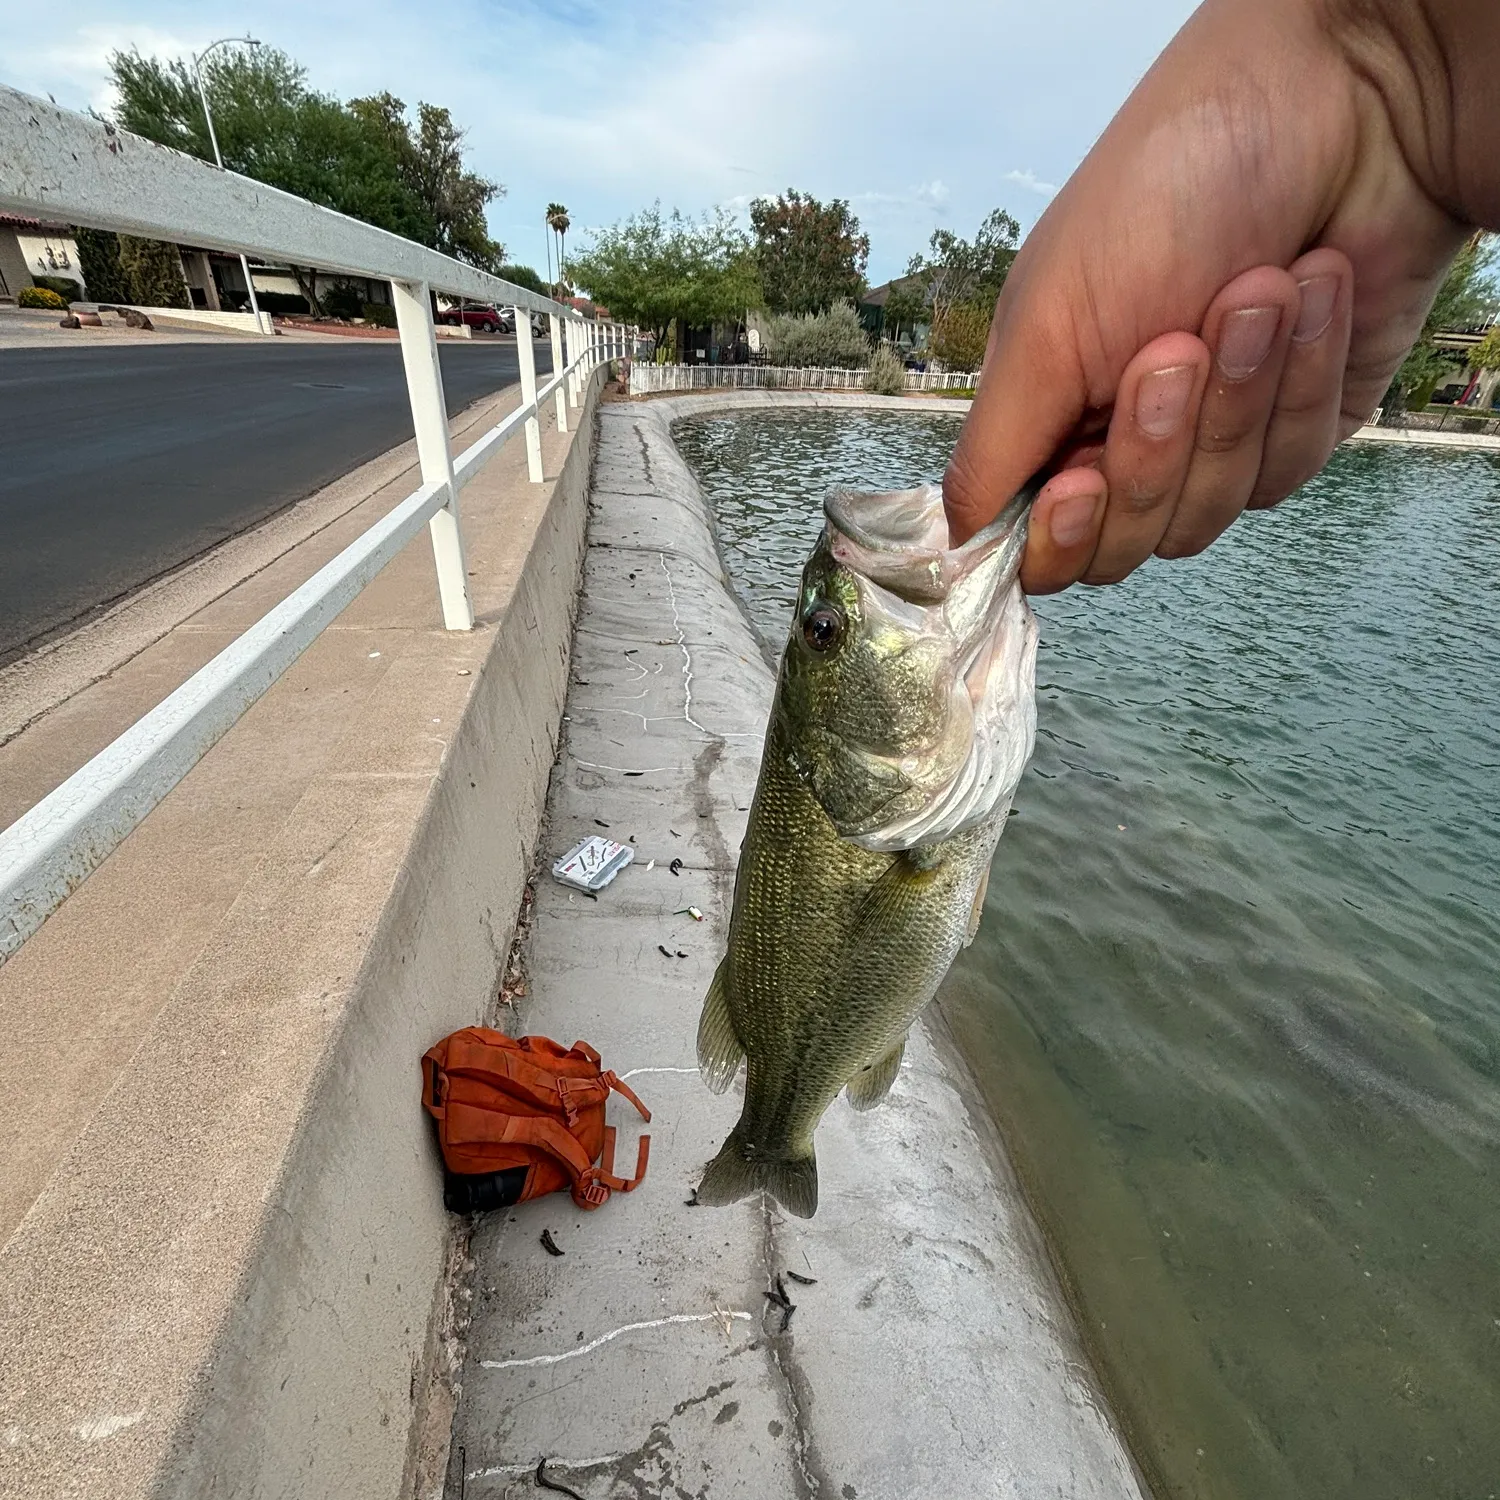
pixel 652 269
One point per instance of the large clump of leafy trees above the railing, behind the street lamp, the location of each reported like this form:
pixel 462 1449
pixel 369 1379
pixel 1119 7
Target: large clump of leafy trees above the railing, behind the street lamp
pixel 362 160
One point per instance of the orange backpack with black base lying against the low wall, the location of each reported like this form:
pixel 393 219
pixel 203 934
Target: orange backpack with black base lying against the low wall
pixel 524 1117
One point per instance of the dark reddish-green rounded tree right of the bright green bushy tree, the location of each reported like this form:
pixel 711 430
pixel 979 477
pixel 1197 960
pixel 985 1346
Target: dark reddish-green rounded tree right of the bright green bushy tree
pixel 812 256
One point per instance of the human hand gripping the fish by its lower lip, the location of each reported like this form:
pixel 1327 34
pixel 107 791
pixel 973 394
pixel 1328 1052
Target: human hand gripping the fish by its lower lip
pixel 1228 284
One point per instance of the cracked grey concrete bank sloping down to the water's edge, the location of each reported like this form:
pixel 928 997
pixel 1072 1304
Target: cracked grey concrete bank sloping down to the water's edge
pixel 935 1355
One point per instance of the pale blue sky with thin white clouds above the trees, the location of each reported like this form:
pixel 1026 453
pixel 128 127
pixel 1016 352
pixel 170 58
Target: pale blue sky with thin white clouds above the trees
pixel 917 115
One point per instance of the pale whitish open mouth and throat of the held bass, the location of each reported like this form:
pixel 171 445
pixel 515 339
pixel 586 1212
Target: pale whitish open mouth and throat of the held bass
pixel 896 547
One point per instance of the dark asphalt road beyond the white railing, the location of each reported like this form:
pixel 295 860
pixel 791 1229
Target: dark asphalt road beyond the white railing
pixel 119 464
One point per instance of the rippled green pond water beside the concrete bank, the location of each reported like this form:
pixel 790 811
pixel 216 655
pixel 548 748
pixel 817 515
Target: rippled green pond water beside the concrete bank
pixel 1237 997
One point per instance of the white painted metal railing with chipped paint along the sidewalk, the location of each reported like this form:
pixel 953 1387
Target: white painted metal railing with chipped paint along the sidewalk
pixel 68 167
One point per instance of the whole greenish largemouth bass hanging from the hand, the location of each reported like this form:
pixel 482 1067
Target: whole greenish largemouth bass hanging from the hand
pixel 904 719
